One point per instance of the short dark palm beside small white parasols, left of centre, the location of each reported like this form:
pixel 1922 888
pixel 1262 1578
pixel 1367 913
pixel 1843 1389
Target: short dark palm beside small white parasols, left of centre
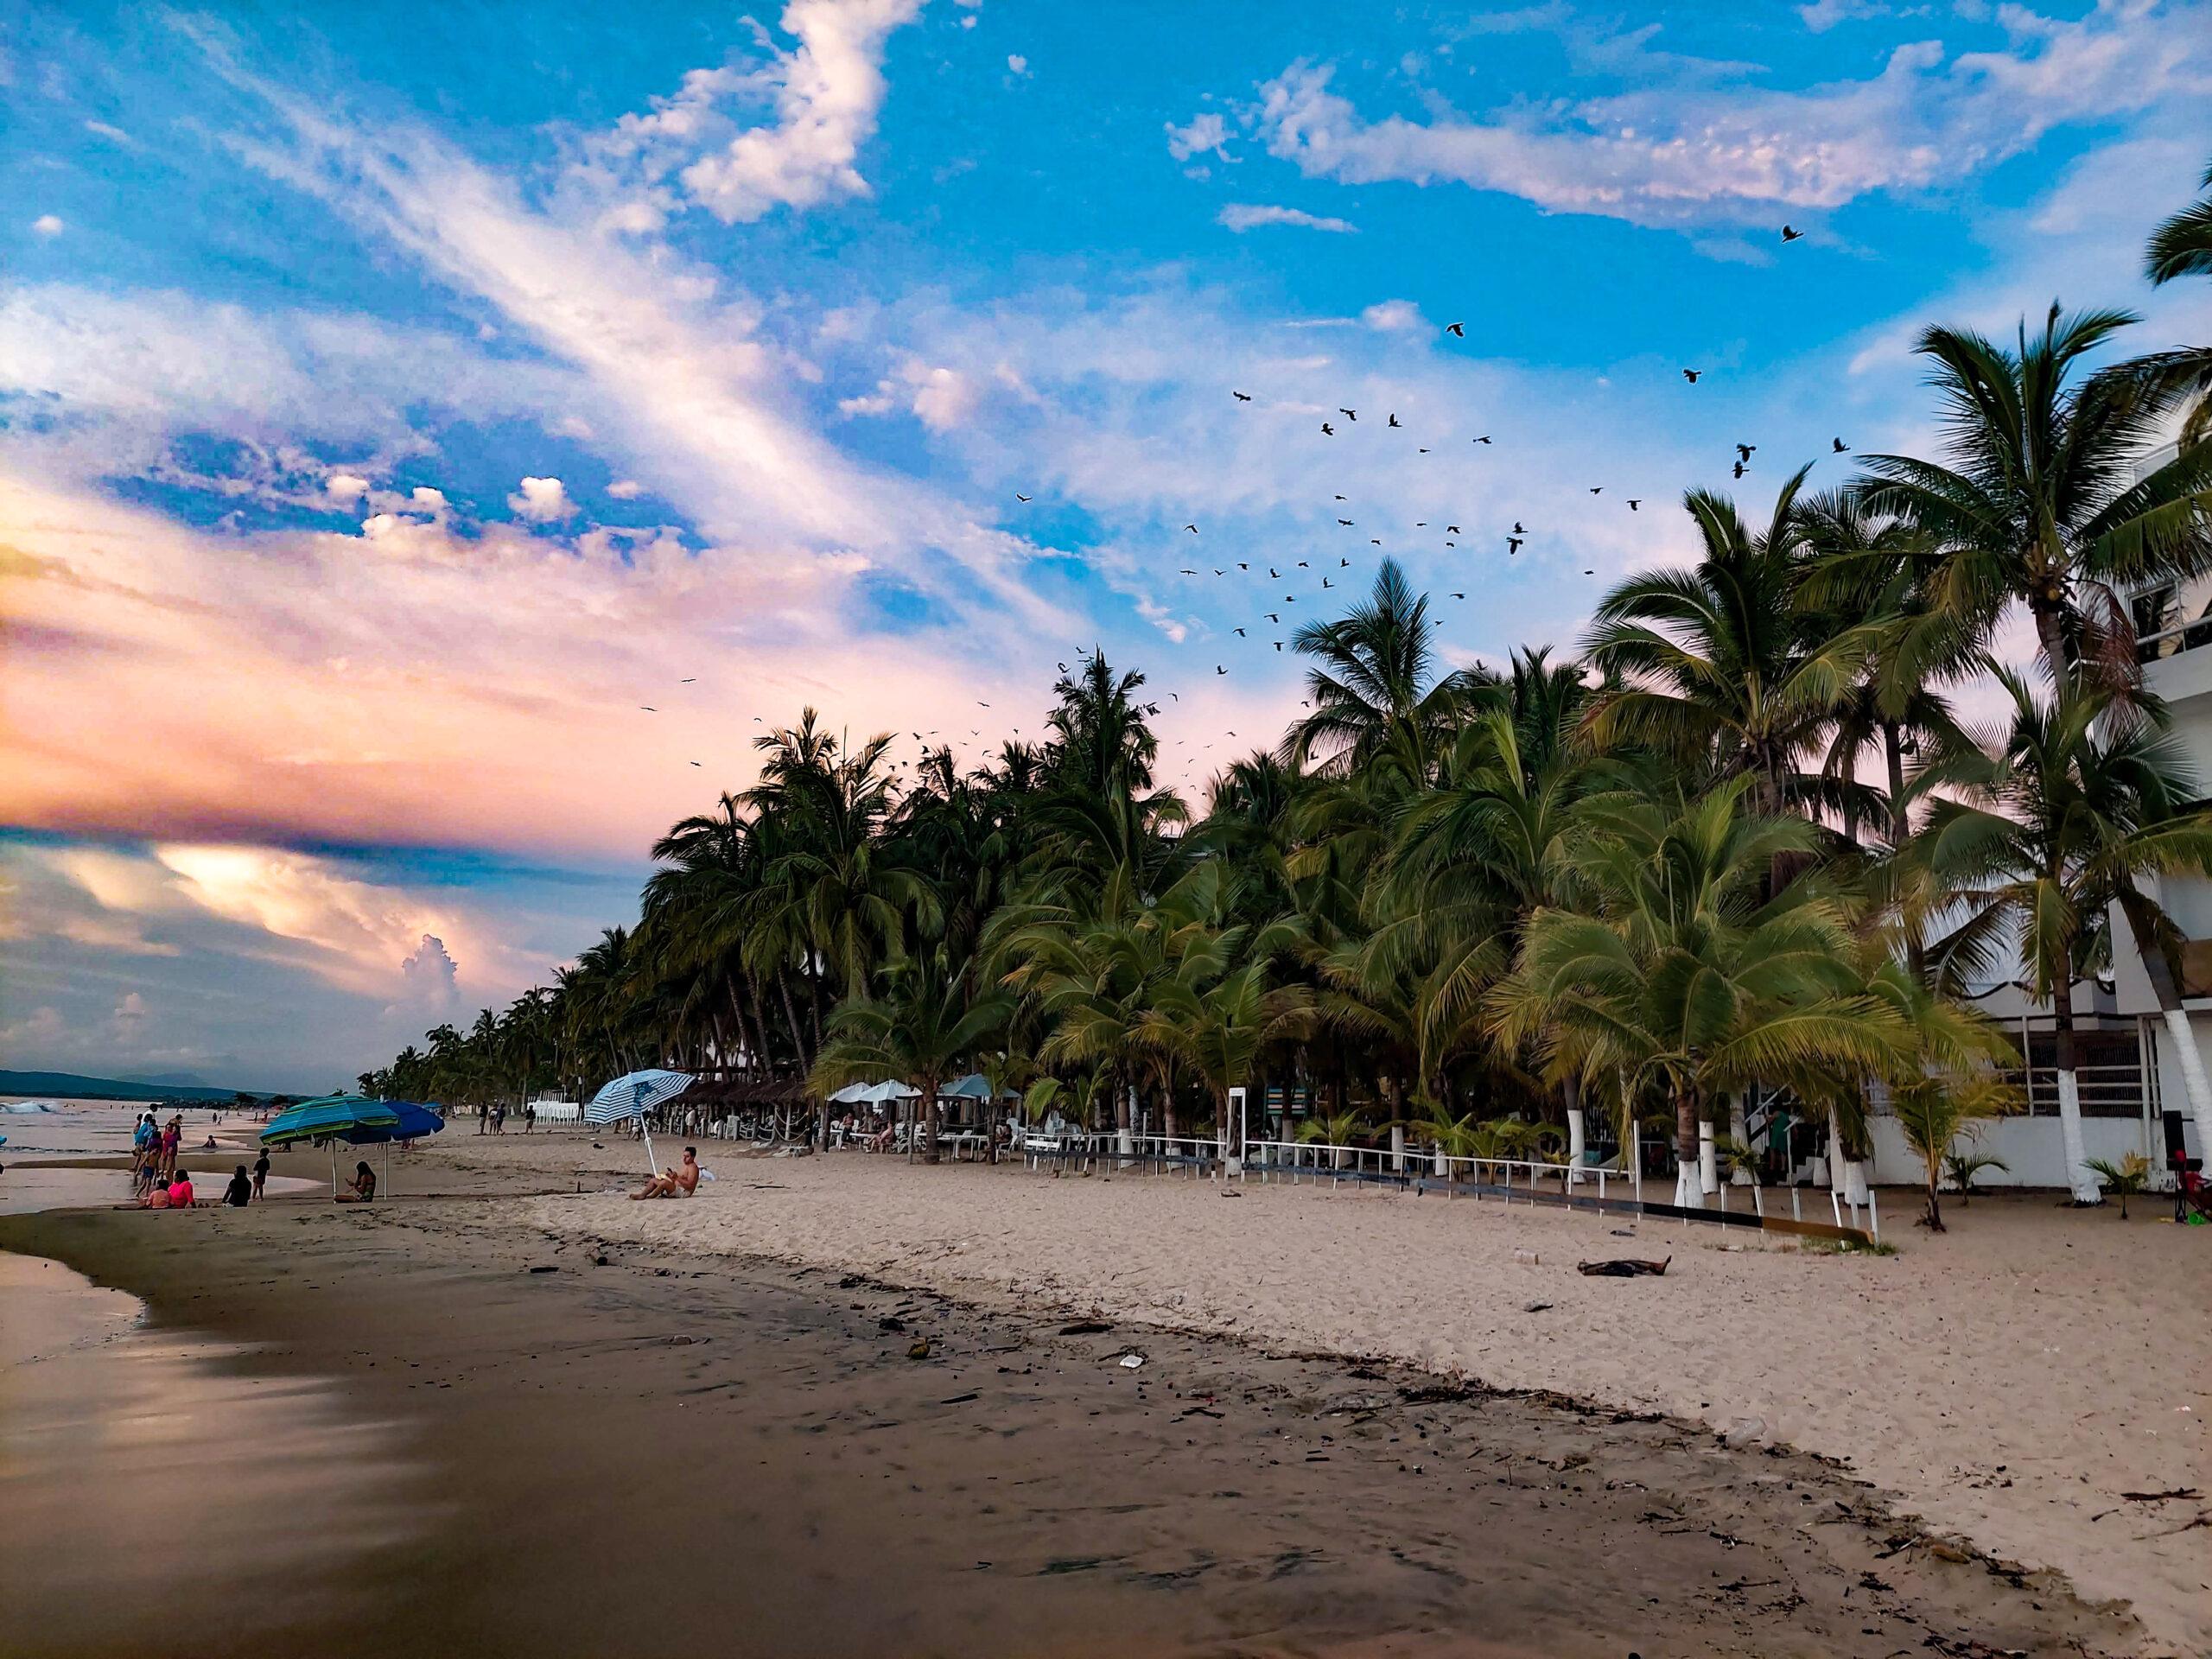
pixel 921 1032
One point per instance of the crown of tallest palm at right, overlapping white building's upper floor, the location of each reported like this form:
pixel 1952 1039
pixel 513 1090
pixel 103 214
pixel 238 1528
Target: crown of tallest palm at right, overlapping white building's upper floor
pixel 2043 501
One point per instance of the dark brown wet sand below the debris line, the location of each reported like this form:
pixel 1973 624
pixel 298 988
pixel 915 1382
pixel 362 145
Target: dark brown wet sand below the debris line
pixel 662 1454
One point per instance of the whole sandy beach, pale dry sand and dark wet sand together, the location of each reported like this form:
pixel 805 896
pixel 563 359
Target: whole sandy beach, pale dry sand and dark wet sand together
pixel 1733 1399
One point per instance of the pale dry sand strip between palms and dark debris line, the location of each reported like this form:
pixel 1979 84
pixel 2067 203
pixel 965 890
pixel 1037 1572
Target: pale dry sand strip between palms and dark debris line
pixel 1912 1370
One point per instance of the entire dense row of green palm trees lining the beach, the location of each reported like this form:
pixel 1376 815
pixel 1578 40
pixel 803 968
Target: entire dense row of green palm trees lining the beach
pixel 1742 844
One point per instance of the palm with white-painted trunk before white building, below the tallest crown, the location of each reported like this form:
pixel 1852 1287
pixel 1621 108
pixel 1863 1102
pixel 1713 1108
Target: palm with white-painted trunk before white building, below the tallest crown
pixel 2047 835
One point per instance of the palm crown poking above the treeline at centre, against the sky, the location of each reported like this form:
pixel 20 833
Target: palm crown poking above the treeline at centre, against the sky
pixel 1375 682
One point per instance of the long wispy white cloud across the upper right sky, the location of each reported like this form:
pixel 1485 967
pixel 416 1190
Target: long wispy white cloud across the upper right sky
pixel 1689 154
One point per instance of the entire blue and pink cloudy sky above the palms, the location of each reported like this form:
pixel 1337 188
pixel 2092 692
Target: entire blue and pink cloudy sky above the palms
pixel 401 401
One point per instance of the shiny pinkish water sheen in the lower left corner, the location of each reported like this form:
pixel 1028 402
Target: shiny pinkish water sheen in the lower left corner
pixel 154 1483
